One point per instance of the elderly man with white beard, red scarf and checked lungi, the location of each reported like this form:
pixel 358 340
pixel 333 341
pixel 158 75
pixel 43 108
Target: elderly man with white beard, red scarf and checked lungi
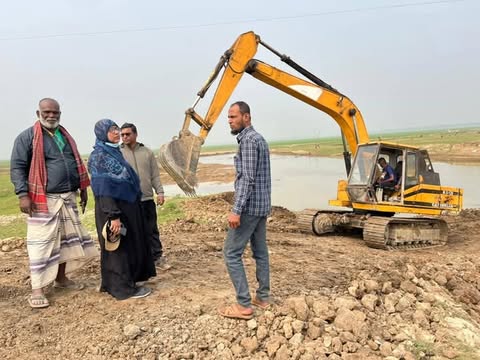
pixel 47 172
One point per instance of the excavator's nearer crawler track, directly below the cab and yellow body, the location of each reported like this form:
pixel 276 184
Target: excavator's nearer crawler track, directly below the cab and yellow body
pixel 404 233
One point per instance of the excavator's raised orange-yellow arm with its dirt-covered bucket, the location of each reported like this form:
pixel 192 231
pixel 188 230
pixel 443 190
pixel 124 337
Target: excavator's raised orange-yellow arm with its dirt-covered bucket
pixel 180 156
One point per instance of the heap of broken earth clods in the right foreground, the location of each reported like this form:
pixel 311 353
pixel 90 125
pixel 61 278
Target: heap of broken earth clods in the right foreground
pixel 383 315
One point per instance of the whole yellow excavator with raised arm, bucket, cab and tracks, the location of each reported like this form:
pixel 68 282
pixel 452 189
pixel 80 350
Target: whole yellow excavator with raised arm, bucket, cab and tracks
pixel 416 198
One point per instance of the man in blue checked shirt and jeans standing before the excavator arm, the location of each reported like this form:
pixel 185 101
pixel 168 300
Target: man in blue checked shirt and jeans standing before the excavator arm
pixel 248 218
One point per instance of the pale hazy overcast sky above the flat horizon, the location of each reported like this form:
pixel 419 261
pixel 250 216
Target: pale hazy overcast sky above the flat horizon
pixel 405 64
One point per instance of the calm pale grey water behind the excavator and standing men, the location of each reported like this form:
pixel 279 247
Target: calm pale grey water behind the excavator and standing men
pixel 300 182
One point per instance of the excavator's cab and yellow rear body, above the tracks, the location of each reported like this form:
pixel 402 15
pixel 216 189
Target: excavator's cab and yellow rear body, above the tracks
pixel 415 184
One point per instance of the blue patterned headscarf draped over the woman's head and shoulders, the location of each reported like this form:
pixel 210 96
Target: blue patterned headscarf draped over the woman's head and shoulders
pixel 111 175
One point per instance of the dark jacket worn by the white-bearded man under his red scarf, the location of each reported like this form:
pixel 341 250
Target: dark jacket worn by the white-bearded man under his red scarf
pixel 62 171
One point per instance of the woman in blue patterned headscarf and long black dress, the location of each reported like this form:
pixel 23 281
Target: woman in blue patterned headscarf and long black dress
pixel 116 188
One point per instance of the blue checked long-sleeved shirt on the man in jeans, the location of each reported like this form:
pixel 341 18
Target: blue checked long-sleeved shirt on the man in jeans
pixel 253 185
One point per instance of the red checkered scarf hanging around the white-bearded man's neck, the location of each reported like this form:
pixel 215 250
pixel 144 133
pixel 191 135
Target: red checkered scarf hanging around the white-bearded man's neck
pixel 37 177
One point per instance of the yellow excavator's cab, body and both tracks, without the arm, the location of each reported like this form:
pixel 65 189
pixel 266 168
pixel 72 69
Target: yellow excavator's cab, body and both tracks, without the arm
pixel 415 191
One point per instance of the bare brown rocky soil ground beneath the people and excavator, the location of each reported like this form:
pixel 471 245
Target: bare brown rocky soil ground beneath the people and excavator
pixel 333 298
